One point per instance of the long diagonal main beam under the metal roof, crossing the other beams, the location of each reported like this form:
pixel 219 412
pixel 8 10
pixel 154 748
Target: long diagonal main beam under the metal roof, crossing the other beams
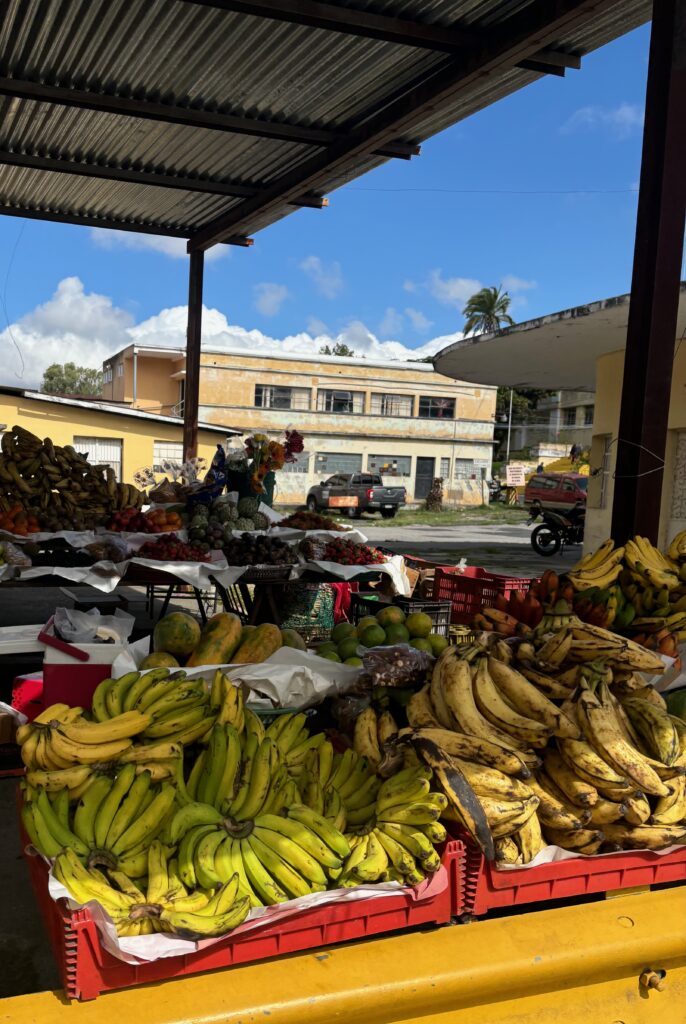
pixel 518 39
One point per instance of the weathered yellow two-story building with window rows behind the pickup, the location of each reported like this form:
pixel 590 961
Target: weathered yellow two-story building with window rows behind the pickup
pixel 402 420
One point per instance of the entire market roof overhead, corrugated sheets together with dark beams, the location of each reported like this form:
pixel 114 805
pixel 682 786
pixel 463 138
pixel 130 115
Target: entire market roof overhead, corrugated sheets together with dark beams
pixel 211 119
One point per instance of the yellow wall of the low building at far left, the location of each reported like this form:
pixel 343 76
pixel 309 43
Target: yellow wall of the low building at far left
pixel 63 423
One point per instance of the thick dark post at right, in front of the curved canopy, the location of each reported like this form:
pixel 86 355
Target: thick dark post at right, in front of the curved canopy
pixel 655 298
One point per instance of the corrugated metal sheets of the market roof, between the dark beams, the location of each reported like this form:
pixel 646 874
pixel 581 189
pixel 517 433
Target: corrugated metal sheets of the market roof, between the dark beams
pixel 182 54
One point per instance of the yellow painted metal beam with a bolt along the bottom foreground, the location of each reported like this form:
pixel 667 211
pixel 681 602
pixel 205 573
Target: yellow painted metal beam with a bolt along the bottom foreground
pixel 580 965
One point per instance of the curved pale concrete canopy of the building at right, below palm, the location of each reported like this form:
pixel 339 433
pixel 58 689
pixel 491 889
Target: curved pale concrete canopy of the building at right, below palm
pixel 559 351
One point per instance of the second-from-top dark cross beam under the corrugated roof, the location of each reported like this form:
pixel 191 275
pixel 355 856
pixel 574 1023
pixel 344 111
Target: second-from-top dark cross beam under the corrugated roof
pixel 190 117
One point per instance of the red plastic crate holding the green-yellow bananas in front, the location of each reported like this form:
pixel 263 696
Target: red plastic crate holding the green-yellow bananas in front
pixel 88 970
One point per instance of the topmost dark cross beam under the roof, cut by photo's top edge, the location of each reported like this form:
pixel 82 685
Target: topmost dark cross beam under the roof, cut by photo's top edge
pixel 455 39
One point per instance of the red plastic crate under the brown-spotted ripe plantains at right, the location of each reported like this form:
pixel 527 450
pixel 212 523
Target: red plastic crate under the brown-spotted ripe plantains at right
pixel 488 889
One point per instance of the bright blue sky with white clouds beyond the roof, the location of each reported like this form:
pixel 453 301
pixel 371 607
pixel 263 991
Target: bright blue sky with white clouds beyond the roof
pixel 538 193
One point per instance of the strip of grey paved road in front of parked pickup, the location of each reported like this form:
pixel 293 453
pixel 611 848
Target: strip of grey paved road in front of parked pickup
pixel 505 549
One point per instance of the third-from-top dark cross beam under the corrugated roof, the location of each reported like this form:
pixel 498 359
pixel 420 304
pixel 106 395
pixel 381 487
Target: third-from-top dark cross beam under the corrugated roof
pixel 158 180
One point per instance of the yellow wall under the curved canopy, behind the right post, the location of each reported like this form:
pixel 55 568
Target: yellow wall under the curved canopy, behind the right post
pixel 610 372
